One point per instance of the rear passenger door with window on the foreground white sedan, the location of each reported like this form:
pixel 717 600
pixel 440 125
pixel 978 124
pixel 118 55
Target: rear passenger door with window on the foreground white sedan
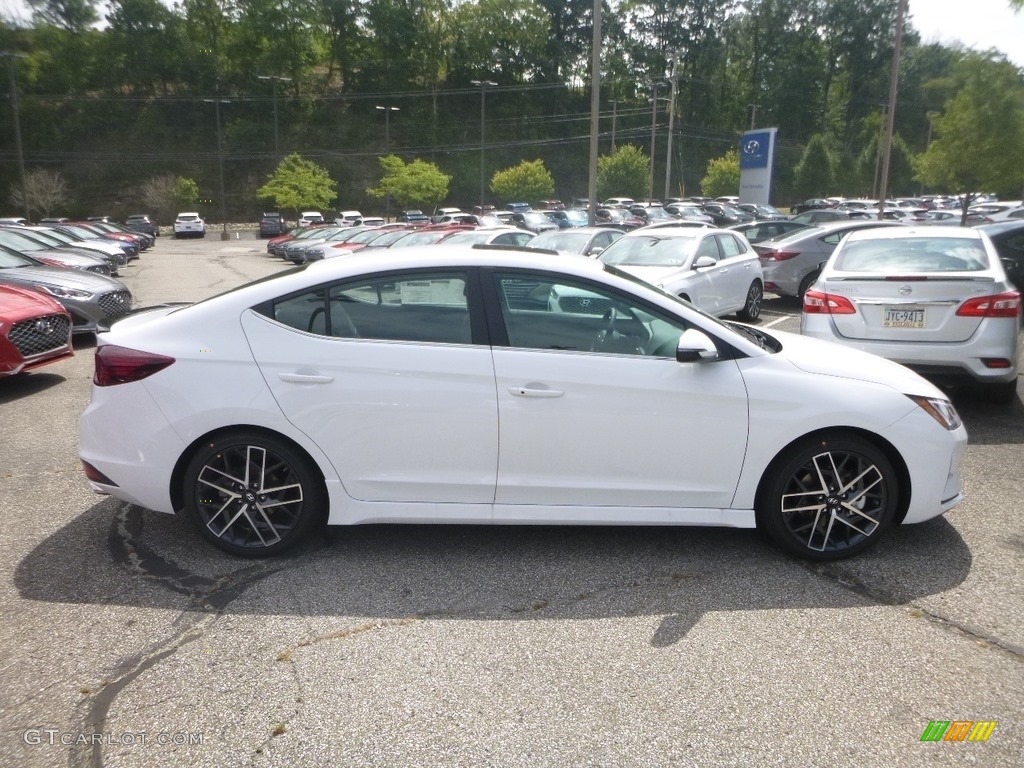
pixel 383 374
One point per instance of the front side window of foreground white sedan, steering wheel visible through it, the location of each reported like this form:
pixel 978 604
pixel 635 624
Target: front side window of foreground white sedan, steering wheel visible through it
pixel 541 313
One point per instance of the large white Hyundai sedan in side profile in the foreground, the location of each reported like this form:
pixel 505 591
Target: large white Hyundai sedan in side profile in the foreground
pixel 439 385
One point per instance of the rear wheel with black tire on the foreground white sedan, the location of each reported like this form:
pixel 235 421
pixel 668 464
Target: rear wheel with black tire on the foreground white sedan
pixel 224 492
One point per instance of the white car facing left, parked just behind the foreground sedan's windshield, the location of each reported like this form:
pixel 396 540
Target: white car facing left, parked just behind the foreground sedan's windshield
pixel 716 270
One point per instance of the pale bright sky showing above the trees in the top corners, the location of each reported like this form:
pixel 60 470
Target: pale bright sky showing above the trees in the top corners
pixel 976 24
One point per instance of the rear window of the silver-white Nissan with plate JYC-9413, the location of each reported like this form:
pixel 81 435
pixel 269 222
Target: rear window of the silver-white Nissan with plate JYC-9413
pixel 913 255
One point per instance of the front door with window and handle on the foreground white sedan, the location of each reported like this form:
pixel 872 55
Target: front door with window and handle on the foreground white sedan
pixel 596 413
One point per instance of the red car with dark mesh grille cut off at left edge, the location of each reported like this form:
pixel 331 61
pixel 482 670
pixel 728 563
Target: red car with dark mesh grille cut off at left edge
pixel 34 330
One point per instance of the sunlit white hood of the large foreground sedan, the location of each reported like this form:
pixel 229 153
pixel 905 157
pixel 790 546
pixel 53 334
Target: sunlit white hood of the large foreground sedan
pixel 826 359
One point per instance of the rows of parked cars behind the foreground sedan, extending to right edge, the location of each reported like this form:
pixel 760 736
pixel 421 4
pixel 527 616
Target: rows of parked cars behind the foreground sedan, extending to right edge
pixel 721 272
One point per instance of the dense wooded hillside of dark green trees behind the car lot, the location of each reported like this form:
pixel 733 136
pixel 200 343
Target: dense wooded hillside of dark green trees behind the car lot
pixel 113 105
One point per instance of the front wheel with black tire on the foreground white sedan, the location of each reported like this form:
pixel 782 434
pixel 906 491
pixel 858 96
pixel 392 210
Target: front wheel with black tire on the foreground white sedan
pixel 829 497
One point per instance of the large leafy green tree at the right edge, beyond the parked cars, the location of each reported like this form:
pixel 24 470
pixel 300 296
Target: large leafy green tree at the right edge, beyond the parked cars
pixel 978 139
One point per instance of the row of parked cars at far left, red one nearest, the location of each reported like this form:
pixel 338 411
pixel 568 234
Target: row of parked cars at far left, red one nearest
pixel 59 279
